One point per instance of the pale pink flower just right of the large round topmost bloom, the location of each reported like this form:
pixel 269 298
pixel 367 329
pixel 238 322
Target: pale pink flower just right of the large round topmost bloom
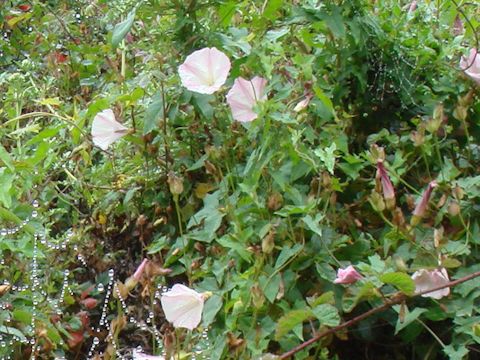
pixel 243 96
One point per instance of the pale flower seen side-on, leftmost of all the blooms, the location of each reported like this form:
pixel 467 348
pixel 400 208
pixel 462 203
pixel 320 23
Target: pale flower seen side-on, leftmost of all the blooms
pixel 106 130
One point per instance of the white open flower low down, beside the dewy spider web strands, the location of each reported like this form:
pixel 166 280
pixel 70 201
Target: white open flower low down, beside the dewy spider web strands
pixel 183 306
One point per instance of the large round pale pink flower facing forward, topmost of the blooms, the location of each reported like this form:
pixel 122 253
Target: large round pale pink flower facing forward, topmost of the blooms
pixel 205 70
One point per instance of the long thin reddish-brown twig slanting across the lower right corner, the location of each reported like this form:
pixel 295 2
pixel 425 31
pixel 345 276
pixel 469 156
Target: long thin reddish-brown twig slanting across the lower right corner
pixel 394 300
